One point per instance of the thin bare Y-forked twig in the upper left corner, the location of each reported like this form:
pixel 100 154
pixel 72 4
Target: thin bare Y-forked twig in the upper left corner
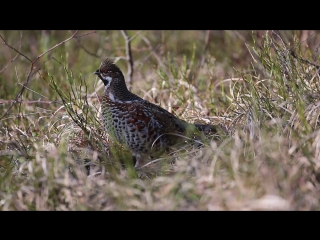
pixel 31 68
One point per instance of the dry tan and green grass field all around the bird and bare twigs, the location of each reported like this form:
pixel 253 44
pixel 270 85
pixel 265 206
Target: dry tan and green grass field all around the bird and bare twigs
pixel 261 86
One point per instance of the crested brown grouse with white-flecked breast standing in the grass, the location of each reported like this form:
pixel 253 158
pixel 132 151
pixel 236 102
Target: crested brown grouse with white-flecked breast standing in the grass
pixel 147 129
